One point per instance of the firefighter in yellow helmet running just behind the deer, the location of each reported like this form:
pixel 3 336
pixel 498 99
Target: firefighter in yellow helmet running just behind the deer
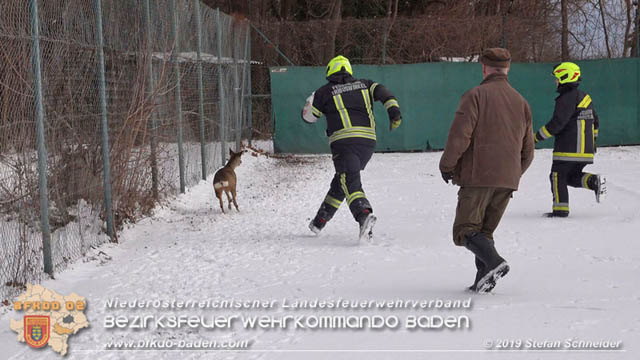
pixel 347 104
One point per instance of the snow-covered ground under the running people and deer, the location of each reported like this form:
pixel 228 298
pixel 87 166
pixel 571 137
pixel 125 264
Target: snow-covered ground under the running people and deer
pixel 574 278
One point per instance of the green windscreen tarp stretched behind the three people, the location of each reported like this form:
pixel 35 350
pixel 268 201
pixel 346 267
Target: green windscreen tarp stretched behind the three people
pixel 429 93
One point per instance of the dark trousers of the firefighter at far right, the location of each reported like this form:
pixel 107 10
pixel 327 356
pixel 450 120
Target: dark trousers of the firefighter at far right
pixel 563 174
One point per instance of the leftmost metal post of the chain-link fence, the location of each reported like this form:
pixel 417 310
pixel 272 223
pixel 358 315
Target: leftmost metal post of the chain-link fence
pixel 42 150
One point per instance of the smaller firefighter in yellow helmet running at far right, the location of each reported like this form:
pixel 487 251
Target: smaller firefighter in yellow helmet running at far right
pixel 575 127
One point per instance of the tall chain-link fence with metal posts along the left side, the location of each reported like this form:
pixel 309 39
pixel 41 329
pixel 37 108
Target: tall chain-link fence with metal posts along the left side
pixel 158 86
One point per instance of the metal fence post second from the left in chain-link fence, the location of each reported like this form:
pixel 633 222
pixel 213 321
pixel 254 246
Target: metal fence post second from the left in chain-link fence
pixel 104 124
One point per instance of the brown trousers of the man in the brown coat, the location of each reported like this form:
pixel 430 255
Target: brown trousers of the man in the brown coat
pixel 479 210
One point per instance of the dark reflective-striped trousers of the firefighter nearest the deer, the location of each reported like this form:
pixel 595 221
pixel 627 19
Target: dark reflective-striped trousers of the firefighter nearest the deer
pixel 348 160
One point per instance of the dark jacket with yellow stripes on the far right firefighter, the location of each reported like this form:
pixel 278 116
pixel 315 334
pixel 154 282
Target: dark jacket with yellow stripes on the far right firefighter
pixel 574 125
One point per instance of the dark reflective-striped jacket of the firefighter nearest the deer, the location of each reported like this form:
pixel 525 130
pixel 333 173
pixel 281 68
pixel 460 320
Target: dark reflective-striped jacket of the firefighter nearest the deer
pixel 347 104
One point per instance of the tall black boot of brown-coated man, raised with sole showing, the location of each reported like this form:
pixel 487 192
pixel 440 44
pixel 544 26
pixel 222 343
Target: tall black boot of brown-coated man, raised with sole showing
pixel 495 266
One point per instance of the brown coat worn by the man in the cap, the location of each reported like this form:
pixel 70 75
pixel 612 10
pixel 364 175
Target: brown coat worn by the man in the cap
pixel 490 142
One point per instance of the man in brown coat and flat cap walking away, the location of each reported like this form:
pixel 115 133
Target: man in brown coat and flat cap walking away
pixel 490 146
